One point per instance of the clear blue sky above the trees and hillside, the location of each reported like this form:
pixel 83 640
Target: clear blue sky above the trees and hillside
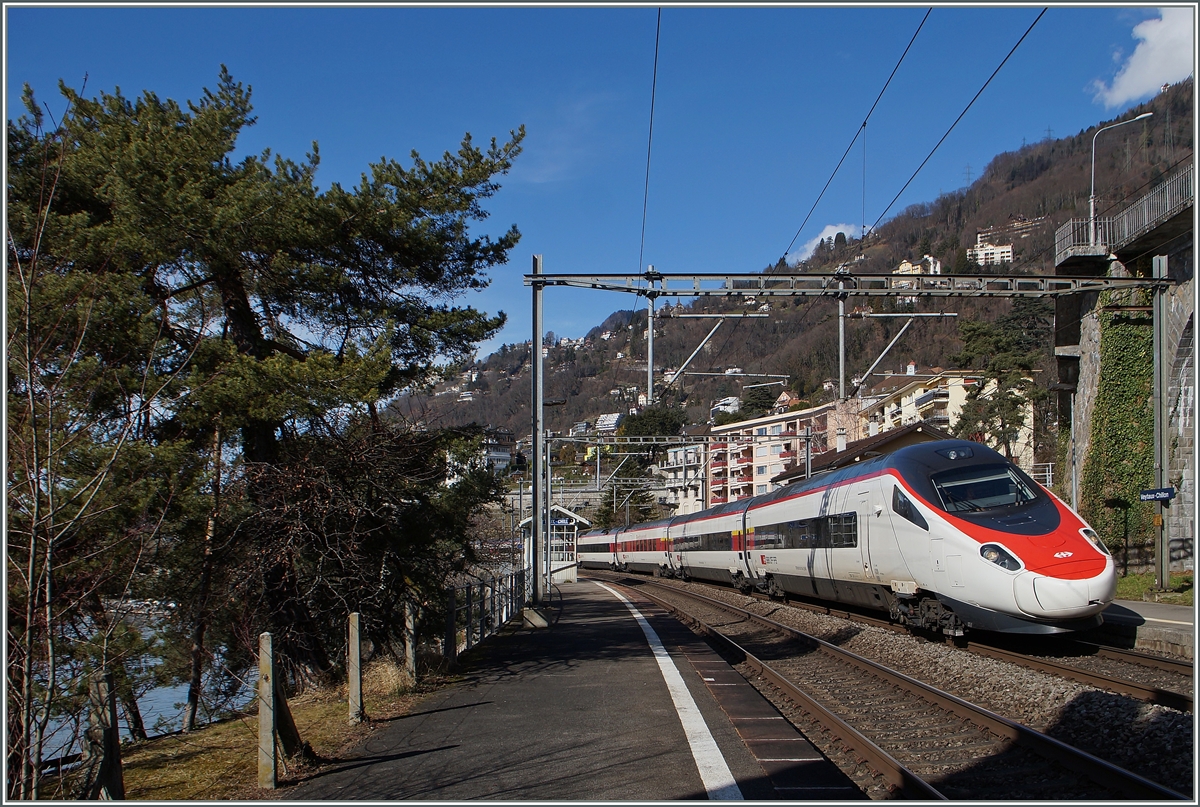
pixel 754 109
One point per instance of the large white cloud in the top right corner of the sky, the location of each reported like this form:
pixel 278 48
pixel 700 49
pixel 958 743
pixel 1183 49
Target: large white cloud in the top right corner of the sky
pixel 1163 56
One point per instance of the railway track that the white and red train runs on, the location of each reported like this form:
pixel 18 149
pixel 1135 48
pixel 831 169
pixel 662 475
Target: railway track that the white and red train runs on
pixel 1144 677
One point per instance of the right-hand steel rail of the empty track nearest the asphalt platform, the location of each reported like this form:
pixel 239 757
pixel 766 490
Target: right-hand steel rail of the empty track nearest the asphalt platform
pixel 1094 768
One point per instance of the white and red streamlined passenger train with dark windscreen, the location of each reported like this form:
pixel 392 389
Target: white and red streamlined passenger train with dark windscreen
pixel 945 536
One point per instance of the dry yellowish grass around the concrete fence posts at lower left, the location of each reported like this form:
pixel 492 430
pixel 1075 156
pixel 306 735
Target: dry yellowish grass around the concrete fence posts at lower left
pixel 221 762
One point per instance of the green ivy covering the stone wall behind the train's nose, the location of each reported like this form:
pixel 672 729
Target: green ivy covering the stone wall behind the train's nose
pixel 1120 461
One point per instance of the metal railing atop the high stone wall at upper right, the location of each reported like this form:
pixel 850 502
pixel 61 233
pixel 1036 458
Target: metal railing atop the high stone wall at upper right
pixel 1168 199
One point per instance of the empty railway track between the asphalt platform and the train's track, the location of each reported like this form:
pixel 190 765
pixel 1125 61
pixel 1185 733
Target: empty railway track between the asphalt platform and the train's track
pixel 926 743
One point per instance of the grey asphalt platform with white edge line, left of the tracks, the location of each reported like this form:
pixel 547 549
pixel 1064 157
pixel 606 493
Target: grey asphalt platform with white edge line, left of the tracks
pixel 615 702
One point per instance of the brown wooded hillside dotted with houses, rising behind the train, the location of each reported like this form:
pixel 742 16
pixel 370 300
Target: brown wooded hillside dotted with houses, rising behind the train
pixel 1046 183
